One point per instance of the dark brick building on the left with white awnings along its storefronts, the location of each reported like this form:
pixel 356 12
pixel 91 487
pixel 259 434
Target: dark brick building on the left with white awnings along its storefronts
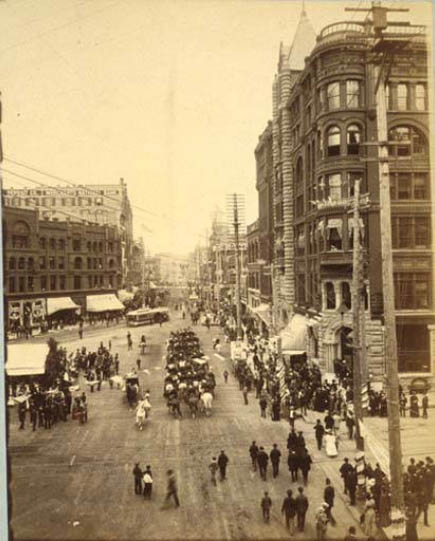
pixel 49 259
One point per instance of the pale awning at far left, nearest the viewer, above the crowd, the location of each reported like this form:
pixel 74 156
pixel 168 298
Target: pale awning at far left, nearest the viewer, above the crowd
pixel 26 359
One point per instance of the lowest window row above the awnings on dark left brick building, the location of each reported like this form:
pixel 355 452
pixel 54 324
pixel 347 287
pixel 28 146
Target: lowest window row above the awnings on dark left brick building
pixel 23 284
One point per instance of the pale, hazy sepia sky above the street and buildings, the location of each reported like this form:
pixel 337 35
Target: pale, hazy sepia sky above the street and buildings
pixel 170 95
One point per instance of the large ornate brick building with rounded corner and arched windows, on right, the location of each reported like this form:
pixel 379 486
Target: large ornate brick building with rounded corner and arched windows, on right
pixel 324 122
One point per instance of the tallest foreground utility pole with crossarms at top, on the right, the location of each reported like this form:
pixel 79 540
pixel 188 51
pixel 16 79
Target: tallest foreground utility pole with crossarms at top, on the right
pixel 382 45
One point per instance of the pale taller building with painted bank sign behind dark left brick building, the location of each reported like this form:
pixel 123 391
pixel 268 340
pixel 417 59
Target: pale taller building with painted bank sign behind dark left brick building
pixel 102 204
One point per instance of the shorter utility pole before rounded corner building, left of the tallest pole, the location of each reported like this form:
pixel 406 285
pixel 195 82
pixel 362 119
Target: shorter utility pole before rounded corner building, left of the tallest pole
pixel 356 311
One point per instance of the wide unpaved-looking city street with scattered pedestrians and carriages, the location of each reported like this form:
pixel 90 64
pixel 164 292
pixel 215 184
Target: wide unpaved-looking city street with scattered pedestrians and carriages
pixel 75 481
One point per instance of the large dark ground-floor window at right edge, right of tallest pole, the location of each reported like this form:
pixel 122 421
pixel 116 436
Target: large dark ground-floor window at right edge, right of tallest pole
pixel 413 348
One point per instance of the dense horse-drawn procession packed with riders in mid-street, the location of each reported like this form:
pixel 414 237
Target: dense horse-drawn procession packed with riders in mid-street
pixel 189 379
